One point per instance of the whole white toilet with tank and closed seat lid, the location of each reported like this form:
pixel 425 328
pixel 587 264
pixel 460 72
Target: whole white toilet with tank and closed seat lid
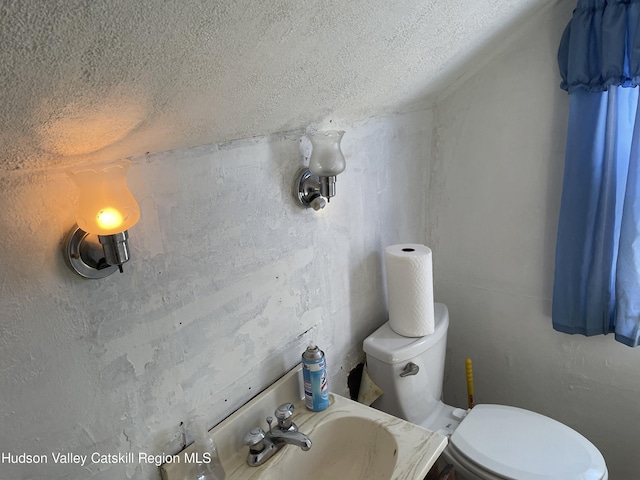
pixel 488 442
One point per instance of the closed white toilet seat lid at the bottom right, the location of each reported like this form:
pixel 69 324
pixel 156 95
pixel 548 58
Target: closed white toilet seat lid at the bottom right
pixel 501 442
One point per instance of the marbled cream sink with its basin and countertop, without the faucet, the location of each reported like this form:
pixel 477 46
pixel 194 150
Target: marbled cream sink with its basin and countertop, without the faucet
pixel 350 441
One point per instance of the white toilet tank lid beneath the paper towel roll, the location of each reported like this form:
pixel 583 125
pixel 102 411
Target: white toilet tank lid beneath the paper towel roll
pixel 390 347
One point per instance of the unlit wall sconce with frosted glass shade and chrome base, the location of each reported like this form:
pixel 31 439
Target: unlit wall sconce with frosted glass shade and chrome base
pixel 315 184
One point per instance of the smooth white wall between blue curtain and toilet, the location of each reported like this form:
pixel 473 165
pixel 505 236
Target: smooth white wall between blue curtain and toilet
pixel 493 207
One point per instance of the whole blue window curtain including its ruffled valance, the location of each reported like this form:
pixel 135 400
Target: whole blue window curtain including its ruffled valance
pixel 597 274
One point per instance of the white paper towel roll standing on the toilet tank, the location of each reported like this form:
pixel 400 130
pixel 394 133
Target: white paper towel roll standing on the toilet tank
pixel 410 289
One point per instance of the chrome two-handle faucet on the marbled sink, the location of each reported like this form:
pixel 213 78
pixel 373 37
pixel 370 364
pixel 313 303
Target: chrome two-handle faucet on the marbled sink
pixel 263 445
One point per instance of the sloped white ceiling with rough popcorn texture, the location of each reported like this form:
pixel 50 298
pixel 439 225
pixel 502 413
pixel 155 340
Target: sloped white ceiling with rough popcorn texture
pixel 104 79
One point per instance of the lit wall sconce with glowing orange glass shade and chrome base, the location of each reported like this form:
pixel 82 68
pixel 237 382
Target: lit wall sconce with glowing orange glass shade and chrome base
pixel 97 246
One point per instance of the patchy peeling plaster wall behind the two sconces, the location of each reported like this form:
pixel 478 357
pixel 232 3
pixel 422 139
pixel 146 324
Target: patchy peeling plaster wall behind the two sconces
pixel 228 282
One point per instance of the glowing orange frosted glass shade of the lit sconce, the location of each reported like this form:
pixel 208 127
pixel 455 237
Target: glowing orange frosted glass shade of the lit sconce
pixel 106 206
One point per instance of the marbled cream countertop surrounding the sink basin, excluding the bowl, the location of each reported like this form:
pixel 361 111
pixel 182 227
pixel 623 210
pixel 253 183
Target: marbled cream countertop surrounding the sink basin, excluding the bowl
pixel 417 448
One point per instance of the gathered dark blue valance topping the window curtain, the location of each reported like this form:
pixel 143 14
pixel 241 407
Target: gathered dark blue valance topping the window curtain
pixel 601 46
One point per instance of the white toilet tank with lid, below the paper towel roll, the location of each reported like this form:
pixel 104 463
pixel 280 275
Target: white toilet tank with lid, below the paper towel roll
pixel 411 397
